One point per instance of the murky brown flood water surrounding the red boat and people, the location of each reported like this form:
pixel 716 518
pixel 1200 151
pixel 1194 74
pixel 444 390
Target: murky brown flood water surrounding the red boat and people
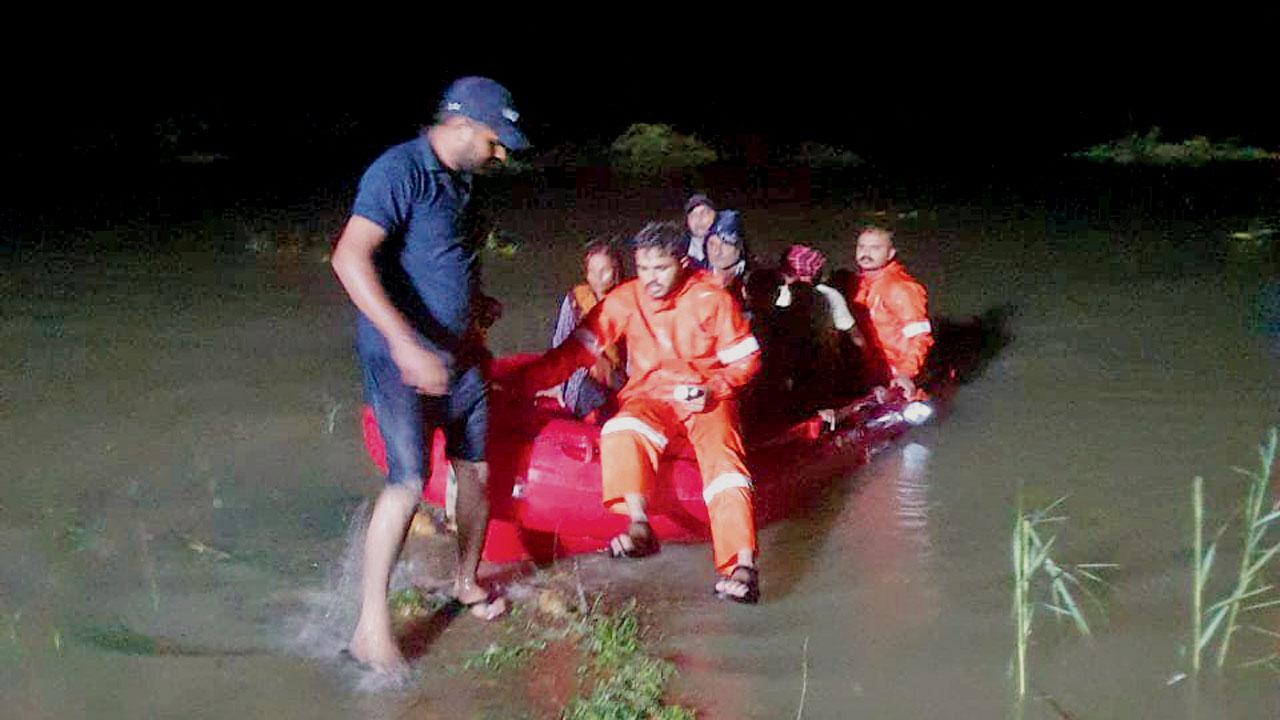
pixel 181 458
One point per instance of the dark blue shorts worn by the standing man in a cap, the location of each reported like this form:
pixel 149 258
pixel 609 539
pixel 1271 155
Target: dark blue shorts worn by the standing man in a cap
pixel 406 418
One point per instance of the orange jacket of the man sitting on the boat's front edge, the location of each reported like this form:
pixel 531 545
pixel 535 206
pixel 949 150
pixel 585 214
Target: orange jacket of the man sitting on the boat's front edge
pixel 696 336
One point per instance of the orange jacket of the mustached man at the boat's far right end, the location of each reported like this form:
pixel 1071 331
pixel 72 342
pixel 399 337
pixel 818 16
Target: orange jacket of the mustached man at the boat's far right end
pixel 894 316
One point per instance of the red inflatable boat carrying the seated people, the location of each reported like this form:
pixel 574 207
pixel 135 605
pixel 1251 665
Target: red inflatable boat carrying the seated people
pixel 546 473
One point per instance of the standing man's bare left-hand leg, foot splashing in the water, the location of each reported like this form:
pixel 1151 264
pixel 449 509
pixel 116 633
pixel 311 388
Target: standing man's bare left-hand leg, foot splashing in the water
pixel 373 641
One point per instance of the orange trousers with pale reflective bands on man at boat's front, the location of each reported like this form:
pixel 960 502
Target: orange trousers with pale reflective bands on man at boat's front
pixel 632 446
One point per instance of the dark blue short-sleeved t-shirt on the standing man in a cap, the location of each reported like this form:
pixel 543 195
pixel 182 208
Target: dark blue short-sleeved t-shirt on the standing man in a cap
pixel 428 262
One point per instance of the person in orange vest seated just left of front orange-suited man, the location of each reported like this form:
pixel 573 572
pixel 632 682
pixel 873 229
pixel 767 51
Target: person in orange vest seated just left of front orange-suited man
pixel 589 393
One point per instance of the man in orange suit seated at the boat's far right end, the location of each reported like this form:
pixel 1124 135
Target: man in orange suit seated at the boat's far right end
pixel 893 315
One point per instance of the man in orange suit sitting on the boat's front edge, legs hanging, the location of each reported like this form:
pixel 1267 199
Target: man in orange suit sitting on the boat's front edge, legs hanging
pixel 691 350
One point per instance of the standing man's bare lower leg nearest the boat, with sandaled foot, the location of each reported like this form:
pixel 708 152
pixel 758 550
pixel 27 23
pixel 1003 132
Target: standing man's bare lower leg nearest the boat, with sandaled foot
pixel 473 514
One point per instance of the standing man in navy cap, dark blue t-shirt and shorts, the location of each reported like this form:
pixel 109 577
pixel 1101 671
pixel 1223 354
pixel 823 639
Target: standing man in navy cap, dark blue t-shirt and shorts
pixel 410 267
